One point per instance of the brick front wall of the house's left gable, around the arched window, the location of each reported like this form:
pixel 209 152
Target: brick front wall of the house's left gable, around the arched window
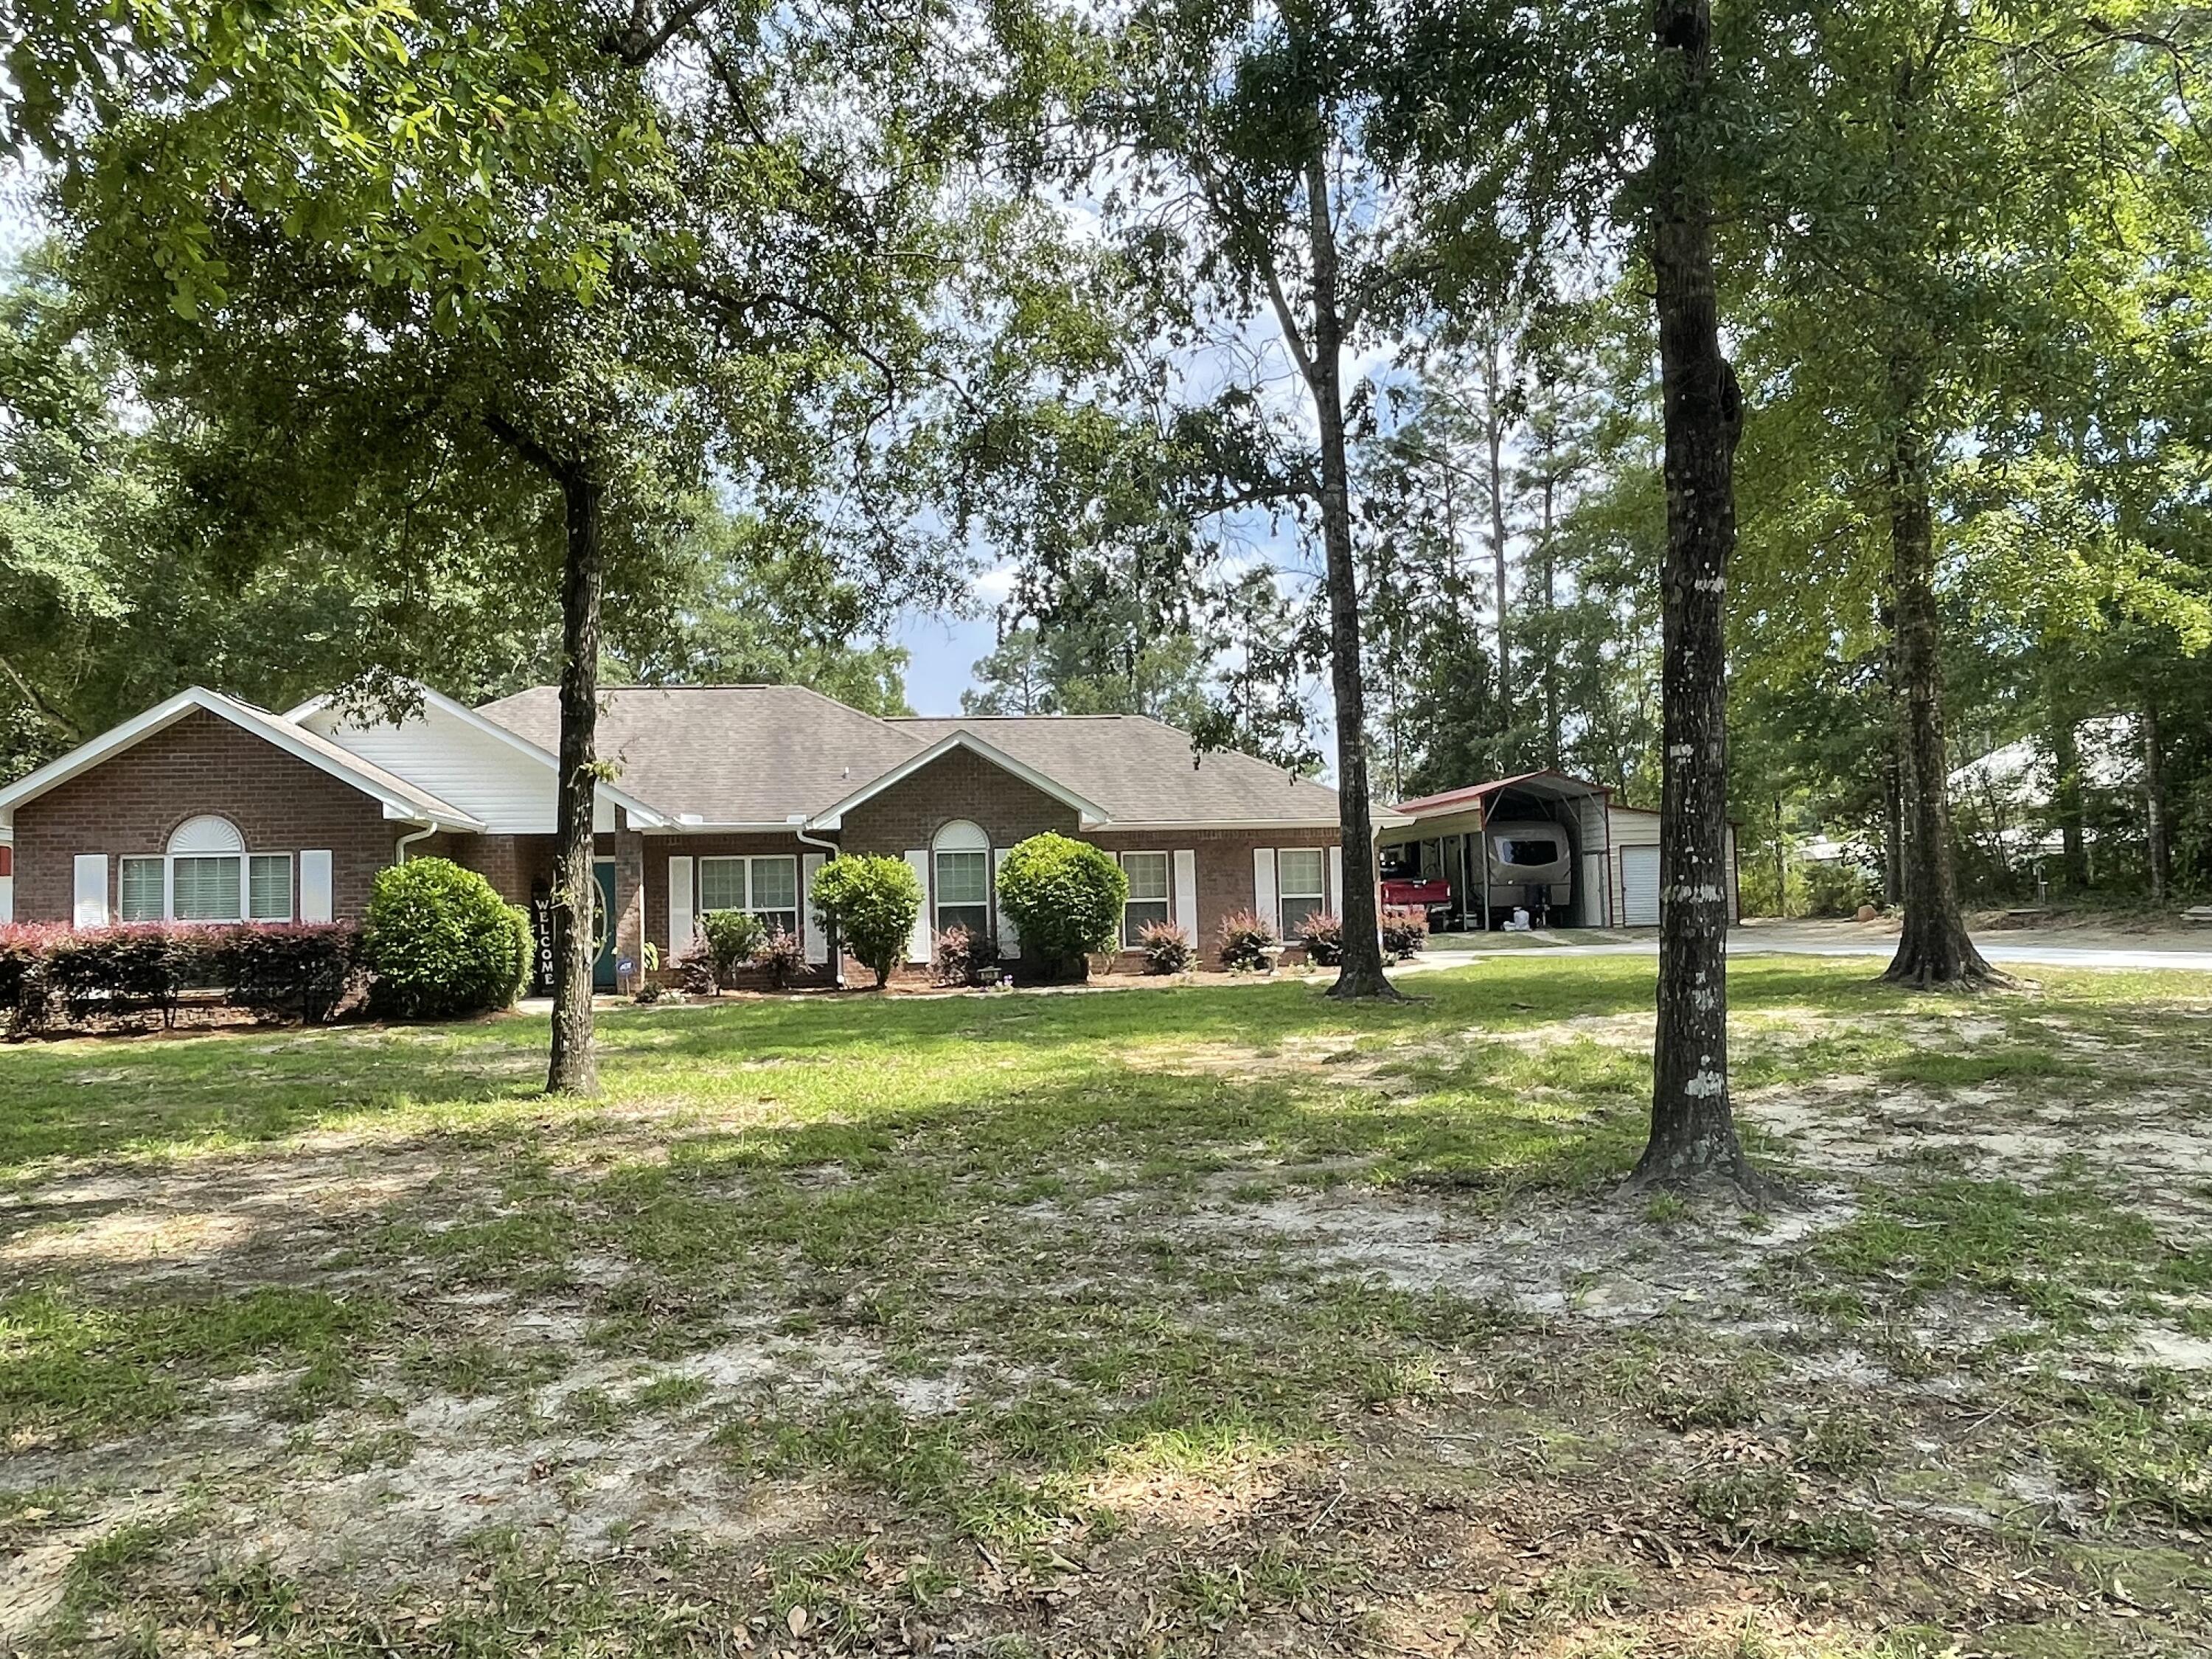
pixel 132 802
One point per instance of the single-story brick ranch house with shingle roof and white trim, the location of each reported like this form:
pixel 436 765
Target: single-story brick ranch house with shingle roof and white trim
pixel 724 797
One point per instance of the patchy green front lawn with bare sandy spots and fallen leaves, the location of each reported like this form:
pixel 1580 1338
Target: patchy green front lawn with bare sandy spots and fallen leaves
pixel 1173 1322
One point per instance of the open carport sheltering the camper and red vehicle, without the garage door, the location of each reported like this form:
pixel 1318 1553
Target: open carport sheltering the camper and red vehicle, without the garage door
pixel 1501 848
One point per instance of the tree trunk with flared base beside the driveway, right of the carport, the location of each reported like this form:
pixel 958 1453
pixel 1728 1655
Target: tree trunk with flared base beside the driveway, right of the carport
pixel 1934 948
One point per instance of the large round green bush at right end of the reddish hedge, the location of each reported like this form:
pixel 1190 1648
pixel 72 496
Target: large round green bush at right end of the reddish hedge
pixel 441 943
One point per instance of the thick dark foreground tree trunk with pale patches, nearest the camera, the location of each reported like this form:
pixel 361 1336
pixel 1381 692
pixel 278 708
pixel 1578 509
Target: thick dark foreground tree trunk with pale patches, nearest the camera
pixel 1693 1140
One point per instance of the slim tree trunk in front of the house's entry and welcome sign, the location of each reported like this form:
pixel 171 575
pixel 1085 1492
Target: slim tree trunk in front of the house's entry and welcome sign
pixel 574 1067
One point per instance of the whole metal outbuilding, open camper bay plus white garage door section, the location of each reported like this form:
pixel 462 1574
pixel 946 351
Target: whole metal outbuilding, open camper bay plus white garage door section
pixel 1543 839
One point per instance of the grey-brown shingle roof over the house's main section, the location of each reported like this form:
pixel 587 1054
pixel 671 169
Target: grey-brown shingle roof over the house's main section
pixel 780 753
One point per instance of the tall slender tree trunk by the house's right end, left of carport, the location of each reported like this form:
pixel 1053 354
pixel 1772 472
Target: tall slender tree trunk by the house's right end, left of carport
pixel 1361 972
